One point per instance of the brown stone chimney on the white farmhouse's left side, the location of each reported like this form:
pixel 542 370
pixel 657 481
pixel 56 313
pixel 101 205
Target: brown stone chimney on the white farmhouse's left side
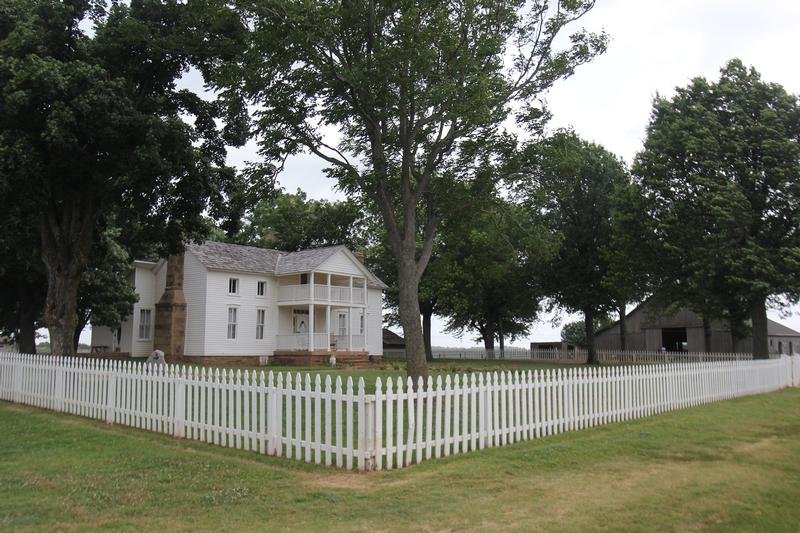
pixel 170 322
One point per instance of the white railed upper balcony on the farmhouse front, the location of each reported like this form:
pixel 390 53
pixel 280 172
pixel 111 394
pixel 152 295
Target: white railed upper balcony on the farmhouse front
pixel 325 289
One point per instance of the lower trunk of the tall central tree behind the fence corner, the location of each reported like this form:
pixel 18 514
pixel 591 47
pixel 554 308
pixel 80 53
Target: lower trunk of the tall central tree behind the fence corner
pixel 410 320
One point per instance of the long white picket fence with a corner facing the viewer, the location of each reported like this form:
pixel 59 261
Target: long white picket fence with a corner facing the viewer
pixel 396 426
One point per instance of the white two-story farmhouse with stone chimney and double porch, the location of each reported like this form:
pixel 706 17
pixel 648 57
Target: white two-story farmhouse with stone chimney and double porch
pixel 225 303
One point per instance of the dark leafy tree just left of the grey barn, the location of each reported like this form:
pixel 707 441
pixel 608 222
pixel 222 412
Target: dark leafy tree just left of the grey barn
pixel 570 186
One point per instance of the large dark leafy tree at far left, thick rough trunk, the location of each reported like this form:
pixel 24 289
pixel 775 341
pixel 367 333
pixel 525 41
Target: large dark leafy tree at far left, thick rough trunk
pixel 91 123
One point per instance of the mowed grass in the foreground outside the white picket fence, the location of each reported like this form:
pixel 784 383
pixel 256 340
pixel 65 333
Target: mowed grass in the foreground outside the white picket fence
pixel 729 466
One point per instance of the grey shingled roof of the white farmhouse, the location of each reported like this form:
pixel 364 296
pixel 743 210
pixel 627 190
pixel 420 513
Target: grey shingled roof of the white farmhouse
pixel 240 258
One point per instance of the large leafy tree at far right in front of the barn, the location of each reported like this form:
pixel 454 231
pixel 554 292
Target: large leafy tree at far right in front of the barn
pixel 720 165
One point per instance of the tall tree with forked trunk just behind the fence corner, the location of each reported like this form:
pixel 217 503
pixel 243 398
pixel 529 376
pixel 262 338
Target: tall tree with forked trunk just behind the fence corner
pixel 402 85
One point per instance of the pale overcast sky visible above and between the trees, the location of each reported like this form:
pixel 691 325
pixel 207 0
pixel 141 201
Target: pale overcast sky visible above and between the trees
pixel 655 46
